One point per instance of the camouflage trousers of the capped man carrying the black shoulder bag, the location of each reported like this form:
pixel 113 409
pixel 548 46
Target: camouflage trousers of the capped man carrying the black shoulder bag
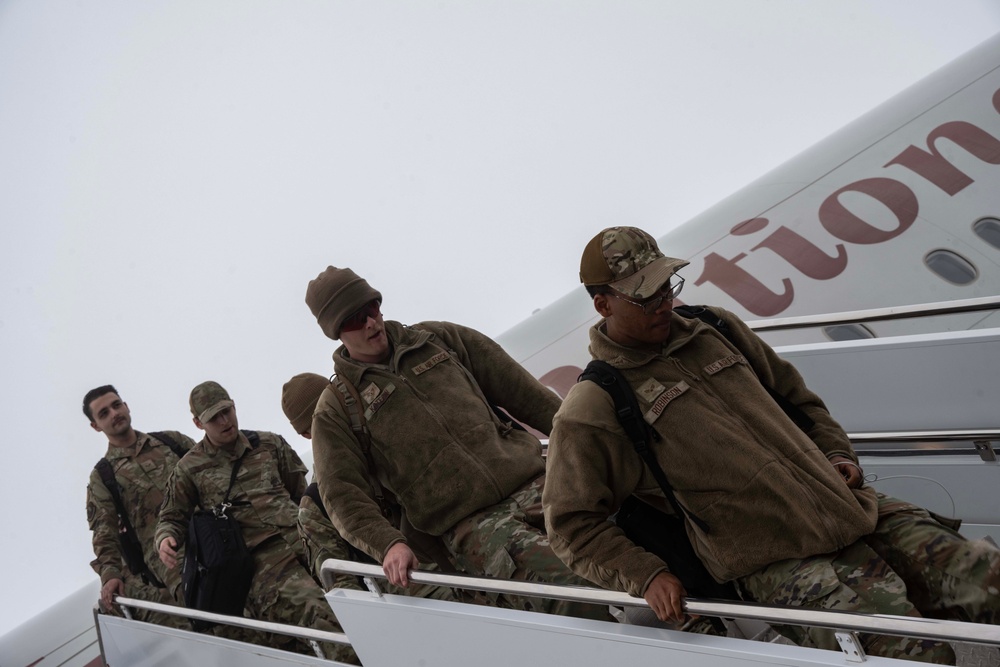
pixel 283 591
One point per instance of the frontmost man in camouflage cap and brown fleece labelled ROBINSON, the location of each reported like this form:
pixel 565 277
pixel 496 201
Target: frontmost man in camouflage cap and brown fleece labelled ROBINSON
pixel 779 509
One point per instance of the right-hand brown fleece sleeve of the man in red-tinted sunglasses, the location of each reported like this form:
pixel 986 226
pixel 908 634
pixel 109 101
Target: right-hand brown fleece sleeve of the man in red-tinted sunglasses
pixel 503 381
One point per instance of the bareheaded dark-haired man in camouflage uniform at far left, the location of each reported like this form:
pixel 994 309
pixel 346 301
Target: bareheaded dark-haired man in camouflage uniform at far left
pixel 141 464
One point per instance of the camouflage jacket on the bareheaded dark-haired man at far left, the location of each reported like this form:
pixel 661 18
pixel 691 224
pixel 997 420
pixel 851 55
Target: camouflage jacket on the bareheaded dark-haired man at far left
pixel 142 472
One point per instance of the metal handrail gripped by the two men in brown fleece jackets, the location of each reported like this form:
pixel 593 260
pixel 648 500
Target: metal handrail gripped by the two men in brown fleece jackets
pixel 925 628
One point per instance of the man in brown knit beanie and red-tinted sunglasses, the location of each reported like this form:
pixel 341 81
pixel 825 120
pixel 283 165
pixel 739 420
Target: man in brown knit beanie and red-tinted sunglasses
pixel 421 399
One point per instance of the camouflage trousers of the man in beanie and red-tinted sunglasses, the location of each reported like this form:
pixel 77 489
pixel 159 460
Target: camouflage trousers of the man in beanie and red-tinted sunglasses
pixel 508 541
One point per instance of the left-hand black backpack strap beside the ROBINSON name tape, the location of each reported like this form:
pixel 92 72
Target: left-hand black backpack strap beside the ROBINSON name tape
pixel 610 379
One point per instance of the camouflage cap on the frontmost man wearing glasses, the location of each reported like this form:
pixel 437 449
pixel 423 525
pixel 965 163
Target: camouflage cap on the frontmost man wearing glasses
pixel 628 260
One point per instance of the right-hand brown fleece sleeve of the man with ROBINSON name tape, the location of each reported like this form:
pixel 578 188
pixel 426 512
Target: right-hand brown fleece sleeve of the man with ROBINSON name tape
pixel 783 377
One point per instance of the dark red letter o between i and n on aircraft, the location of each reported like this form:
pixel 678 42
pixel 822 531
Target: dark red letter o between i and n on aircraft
pixel 847 226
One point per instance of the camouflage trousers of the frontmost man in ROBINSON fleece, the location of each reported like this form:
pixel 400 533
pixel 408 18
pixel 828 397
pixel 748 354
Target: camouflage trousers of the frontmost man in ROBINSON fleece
pixel 911 565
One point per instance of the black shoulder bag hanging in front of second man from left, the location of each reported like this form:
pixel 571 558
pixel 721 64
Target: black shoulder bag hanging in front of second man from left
pixel 218 567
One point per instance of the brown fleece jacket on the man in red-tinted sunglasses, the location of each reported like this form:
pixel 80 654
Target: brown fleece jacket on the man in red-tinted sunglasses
pixel 436 443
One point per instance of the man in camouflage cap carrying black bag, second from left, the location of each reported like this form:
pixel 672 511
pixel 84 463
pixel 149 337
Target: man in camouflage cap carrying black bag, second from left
pixel 270 481
